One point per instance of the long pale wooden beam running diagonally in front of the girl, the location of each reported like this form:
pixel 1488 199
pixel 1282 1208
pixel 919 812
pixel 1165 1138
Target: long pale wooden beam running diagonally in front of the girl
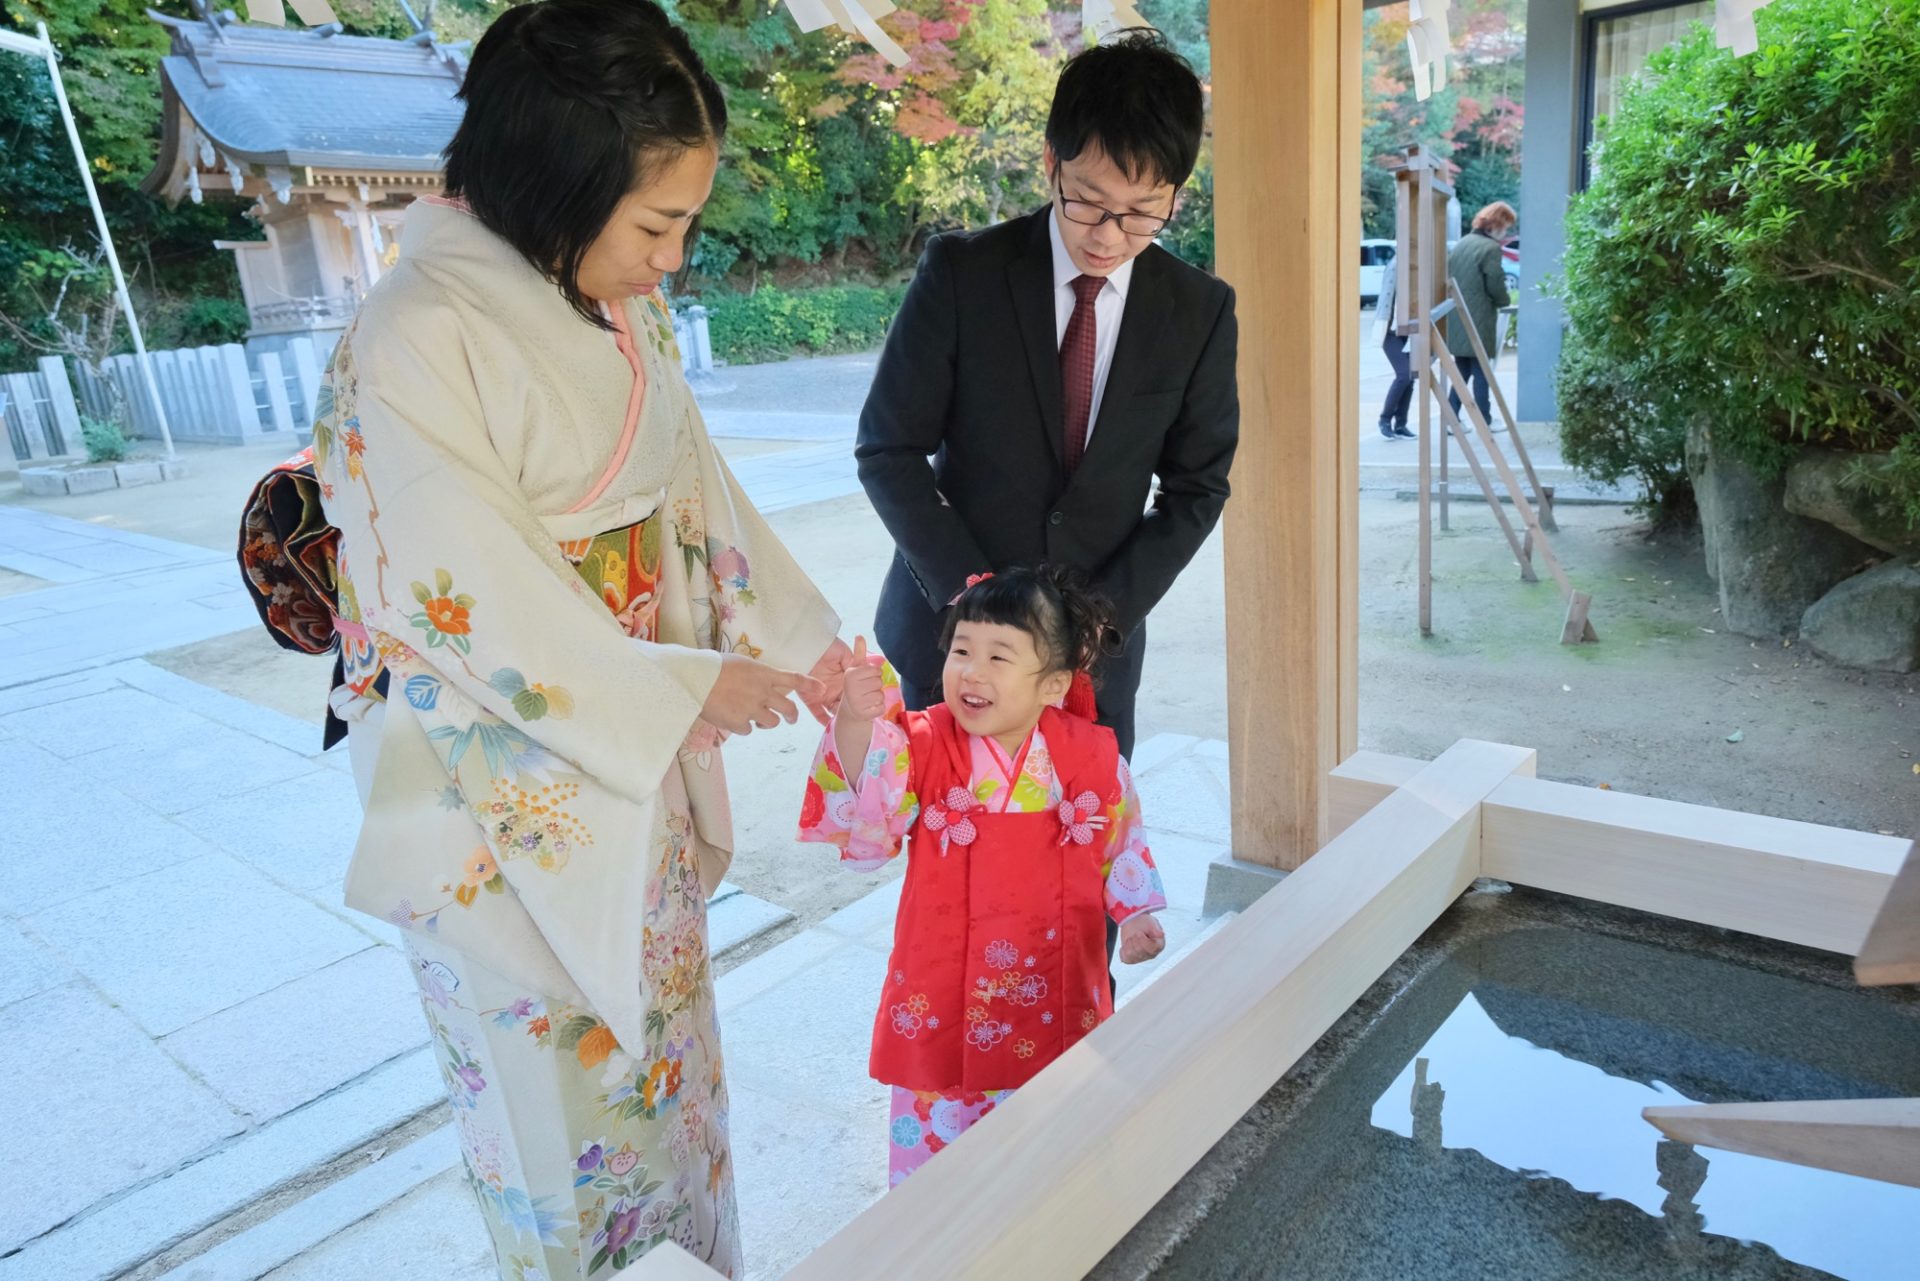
pixel 1072 1161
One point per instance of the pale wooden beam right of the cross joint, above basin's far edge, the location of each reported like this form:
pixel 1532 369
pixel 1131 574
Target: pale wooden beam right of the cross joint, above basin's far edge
pixel 1771 877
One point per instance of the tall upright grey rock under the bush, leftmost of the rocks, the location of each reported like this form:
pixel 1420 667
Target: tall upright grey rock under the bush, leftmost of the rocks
pixel 1769 564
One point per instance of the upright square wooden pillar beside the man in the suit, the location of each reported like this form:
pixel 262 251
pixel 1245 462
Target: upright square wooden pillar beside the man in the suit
pixel 1287 231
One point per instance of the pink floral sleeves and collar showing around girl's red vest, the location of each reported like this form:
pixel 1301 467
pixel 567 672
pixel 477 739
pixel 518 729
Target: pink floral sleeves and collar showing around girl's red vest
pixel 869 823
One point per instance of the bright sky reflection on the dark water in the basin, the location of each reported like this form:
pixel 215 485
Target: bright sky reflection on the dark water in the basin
pixel 1541 1113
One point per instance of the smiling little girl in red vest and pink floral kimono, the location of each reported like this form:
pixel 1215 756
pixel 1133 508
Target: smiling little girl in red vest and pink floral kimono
pixel 1024 836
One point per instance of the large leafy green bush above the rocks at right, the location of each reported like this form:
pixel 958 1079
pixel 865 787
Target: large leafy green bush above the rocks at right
pixel 1750 249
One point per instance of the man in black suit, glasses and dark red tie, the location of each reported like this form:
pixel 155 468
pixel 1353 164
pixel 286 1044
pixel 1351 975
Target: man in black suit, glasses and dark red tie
pixel 1045 372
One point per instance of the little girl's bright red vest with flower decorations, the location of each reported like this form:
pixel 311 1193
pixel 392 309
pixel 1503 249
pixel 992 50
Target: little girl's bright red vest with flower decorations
pixel 999 950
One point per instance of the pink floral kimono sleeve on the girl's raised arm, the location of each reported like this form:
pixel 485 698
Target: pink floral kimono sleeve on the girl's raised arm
pixel 871 810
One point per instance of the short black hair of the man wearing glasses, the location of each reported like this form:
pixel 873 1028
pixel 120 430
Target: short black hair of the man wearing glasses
pixel 1138 101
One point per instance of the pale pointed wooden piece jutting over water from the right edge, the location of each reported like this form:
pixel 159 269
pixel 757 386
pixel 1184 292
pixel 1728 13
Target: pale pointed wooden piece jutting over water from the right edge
pixel 1867 1138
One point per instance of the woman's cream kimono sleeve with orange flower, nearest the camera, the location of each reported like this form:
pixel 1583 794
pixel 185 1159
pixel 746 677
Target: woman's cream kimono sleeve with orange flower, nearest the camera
pixel 444 556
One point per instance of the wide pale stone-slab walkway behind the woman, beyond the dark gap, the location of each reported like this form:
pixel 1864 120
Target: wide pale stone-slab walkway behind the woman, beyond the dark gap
pixel 197 1019
